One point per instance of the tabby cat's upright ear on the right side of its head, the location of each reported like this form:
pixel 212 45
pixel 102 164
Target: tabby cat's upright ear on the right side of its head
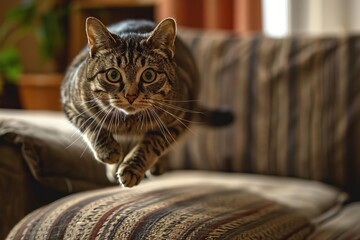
pixel 163 37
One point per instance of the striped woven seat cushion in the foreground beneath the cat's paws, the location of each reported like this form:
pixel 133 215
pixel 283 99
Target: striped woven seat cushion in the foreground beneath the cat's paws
pixel 186 205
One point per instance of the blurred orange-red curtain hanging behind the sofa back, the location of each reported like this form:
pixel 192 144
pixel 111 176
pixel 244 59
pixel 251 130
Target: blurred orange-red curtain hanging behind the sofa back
pixel 242 16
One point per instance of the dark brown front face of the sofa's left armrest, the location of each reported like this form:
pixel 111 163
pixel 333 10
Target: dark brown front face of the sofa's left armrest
pixel 20 193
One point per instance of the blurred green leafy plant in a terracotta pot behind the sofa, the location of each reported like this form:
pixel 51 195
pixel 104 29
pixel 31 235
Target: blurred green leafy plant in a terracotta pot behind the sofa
pixel 37 88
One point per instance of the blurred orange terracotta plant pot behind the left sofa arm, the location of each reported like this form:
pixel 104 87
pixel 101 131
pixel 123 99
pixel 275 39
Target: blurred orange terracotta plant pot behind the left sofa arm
pixel 40 91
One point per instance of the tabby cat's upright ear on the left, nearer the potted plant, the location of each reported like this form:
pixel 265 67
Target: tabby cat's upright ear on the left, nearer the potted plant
pixel 98 35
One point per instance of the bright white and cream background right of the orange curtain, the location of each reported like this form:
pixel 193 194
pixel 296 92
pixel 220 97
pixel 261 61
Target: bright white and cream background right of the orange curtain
pixel 314 17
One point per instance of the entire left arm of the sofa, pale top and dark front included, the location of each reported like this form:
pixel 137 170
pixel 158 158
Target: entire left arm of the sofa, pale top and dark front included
pixel 40 161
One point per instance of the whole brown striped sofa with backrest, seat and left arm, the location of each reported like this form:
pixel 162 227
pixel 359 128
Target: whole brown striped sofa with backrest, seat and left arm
pixel 288 167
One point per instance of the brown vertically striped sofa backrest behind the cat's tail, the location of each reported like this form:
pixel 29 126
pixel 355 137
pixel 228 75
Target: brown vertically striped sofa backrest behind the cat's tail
pixel 296 103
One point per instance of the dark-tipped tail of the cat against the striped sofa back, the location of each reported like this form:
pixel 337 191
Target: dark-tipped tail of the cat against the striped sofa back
pixel 213 117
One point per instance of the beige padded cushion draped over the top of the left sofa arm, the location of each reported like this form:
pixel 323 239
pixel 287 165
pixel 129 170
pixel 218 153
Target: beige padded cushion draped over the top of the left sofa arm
pixel 57 158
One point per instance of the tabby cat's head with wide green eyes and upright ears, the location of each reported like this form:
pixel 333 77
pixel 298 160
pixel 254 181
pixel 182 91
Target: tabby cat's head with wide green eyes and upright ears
pixel 130 71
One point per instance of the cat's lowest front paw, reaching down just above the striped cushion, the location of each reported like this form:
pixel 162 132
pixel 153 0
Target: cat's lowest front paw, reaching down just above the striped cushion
pixel 130 173
